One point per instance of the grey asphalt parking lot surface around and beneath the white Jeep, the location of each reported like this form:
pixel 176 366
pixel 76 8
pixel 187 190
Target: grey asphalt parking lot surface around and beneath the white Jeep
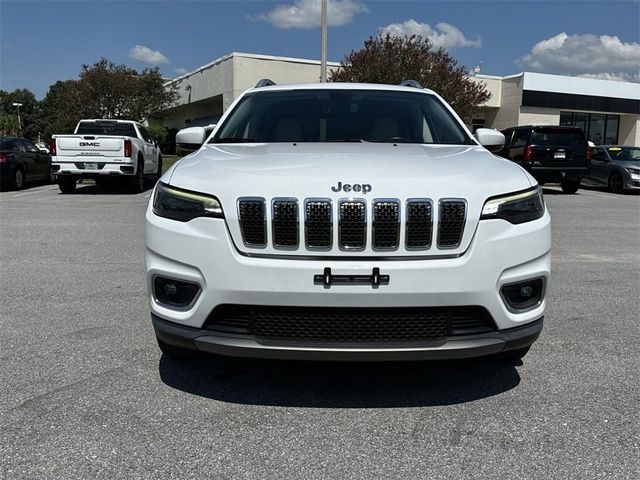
pixel 85 392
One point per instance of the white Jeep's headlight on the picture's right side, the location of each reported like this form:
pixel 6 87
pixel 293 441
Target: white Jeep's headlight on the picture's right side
pixel 519 207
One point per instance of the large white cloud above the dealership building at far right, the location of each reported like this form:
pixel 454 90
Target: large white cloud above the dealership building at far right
pixel 595 56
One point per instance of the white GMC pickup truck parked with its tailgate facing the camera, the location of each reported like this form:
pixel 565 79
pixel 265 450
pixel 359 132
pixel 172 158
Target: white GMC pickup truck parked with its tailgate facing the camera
pixel 104 149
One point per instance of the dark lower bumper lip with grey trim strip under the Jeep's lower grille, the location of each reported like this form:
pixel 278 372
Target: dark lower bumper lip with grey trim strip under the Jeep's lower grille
pixel 451 348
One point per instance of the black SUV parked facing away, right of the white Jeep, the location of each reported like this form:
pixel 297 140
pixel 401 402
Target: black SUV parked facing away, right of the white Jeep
pixel 552 154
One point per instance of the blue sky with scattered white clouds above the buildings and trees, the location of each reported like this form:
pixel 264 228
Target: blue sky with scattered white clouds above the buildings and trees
pixel 46 41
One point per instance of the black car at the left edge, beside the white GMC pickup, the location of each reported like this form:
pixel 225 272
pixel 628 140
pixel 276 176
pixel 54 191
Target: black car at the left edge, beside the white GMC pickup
pixel 21 162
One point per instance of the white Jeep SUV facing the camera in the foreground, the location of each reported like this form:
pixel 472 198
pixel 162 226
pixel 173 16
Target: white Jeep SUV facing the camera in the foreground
pixel 346 222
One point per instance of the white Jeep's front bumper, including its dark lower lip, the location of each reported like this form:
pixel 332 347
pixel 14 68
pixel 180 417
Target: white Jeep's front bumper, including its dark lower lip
pixel 201 251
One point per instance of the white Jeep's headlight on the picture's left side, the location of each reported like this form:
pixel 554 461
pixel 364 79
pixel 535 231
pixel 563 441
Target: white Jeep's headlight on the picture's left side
pixel 183 205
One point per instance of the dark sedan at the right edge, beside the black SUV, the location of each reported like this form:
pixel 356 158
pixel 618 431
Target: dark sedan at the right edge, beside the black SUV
pixel 616 166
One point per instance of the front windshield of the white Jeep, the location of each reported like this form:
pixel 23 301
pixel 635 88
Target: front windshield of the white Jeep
pixel 341 116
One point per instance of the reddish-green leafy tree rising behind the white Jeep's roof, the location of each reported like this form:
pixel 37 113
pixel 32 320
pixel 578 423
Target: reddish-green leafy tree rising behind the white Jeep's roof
pixel 390 59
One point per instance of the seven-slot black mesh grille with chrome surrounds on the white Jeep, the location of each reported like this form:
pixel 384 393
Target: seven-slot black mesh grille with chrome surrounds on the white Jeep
pixel 351 217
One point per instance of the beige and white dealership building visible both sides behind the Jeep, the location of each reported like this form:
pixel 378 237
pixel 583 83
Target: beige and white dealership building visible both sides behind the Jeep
pixel 608 111
